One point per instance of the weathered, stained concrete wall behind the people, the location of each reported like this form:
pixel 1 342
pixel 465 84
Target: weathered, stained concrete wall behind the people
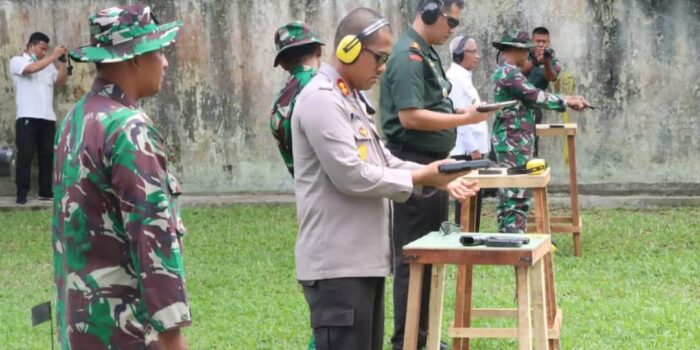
pixel 637 57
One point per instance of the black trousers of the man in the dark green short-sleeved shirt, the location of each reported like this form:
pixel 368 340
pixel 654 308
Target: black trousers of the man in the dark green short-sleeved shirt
pixel 412 220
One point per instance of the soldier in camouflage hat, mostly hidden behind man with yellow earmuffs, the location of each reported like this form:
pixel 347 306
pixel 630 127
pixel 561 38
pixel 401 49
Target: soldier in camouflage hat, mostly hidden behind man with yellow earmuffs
pixel 299 53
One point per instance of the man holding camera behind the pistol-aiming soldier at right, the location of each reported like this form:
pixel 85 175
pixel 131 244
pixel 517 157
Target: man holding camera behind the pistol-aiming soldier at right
pixel 541 68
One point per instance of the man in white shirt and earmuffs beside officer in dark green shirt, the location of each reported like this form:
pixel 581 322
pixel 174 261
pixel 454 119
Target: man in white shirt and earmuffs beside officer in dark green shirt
pixel 473 140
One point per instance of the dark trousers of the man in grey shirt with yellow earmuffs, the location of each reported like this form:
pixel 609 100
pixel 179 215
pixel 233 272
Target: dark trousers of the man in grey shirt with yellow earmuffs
pixel 346 313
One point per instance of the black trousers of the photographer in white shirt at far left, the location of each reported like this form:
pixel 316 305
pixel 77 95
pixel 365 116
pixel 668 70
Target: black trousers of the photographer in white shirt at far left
pixel 34 135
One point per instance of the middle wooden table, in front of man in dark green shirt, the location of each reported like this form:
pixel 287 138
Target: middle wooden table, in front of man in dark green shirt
pixel 538 184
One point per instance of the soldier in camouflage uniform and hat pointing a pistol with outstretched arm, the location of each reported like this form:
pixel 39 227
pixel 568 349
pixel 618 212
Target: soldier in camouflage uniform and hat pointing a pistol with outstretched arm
pixel 514 127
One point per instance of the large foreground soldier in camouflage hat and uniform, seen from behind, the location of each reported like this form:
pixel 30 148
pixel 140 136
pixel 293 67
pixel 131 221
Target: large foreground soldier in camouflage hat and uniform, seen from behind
pixel 116 227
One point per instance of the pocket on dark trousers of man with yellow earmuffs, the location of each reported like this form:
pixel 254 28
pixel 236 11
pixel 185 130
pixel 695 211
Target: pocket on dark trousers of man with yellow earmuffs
pixel 333 327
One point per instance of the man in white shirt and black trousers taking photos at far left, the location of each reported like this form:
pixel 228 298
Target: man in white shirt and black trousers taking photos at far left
pixel 33 77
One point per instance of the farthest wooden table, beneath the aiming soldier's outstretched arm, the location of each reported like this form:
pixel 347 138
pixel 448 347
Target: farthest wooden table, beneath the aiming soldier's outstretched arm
pixel 573 223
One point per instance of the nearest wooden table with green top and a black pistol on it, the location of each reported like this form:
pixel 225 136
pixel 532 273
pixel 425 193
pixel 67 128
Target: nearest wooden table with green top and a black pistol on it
pixel 535 291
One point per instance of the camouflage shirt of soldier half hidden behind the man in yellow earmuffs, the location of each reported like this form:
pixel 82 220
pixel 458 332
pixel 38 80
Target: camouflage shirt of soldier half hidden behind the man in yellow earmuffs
pixel 282 108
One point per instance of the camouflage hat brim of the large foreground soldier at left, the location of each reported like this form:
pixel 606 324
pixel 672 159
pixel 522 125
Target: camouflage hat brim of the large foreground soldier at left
pixel 162 37
